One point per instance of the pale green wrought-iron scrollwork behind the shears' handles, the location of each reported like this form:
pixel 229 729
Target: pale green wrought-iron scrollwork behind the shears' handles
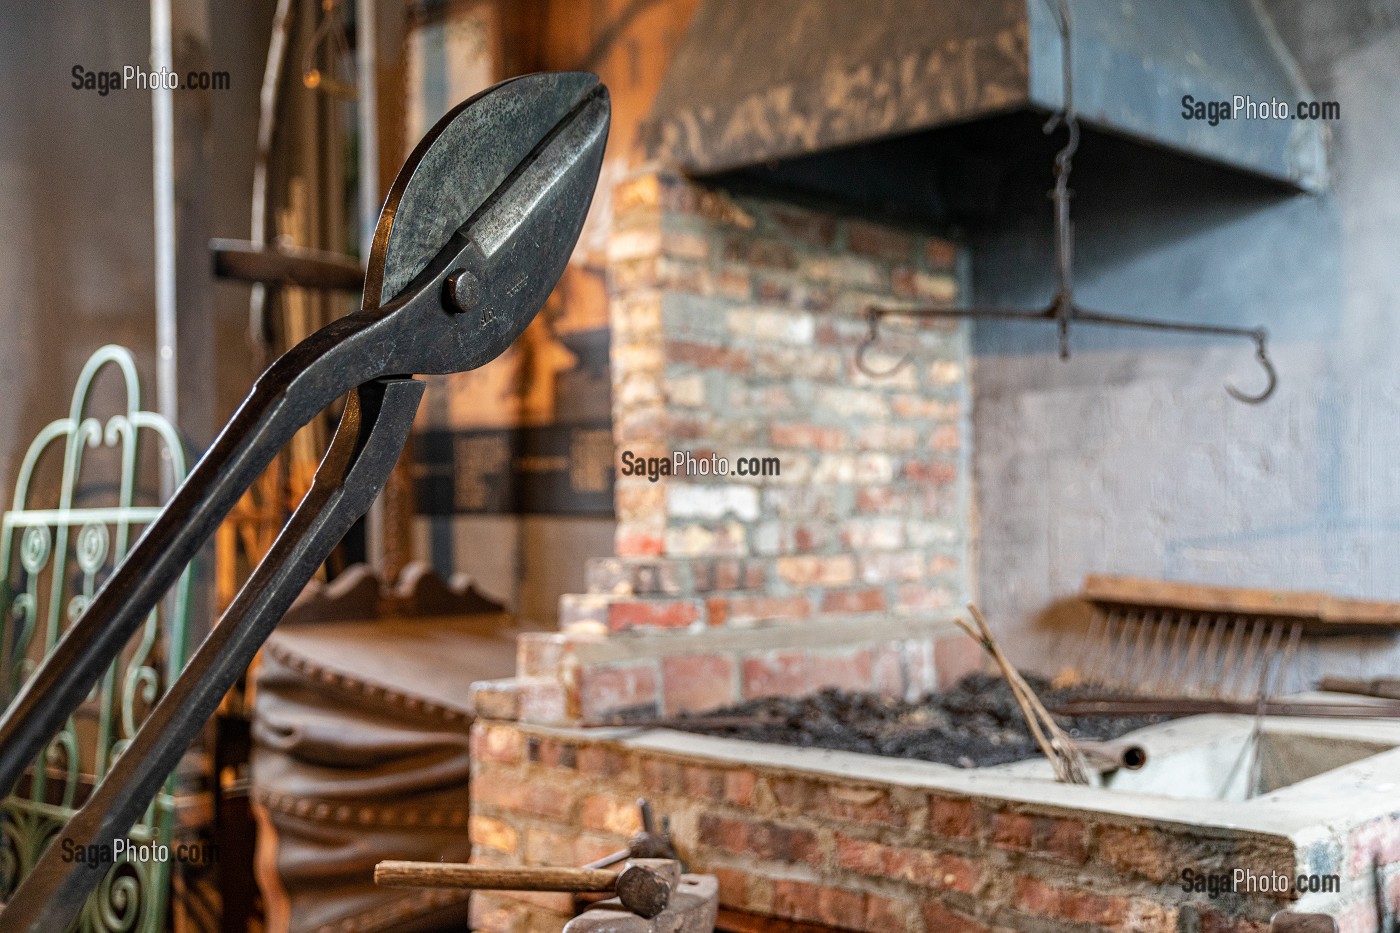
pixel 54 561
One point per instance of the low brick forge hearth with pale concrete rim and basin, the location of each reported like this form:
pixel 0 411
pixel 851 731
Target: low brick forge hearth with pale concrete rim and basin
pixel 857 843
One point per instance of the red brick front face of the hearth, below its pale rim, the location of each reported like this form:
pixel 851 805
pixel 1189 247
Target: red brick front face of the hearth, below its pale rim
pixel 862 857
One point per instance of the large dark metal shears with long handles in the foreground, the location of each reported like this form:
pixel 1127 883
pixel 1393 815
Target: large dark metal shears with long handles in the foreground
pixel 472 239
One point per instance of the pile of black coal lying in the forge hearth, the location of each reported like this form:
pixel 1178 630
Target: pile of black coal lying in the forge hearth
pixel 974 725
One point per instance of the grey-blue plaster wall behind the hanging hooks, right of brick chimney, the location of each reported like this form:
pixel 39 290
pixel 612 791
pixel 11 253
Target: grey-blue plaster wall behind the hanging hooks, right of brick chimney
pixel 1132 459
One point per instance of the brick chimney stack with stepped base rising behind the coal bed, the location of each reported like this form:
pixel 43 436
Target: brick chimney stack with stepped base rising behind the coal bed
pixel 734 327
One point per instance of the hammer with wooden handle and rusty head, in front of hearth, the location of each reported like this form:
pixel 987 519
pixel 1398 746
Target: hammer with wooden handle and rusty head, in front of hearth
pixel 643 886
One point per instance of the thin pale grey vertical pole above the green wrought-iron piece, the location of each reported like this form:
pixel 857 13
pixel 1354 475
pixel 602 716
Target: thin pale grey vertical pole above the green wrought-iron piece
pixel 163 132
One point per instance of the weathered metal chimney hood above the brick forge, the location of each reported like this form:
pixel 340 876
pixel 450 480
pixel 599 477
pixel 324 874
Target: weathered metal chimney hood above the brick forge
pixel 761 82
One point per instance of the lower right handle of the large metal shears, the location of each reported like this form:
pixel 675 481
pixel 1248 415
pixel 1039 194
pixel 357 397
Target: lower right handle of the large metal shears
pixel 366 446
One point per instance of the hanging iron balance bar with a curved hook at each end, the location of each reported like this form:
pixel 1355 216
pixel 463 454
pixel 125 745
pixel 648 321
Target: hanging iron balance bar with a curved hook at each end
pixel 1063 310
